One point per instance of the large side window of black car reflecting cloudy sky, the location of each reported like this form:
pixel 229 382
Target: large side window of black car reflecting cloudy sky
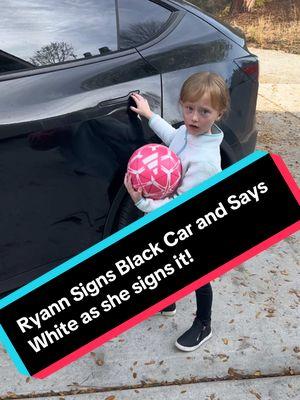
pixel 35 33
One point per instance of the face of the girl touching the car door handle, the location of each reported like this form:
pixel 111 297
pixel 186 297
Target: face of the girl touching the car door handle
pixel 199 116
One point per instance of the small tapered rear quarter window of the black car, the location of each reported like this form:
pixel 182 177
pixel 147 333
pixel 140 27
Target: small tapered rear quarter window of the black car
pixel 139 21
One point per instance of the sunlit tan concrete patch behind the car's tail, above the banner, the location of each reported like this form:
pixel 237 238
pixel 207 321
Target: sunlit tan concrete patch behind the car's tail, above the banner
pixel 278 106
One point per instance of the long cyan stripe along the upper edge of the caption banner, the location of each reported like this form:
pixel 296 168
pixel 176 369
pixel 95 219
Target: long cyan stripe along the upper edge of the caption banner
pixel 131 228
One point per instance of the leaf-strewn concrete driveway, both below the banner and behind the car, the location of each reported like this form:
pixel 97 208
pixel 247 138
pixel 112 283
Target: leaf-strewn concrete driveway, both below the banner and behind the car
pixel 255 349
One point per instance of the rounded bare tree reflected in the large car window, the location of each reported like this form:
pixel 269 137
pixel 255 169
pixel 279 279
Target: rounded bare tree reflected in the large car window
pixel 53 53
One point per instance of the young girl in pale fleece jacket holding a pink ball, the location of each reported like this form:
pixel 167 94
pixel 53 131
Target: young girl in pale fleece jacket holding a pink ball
pixel 204 99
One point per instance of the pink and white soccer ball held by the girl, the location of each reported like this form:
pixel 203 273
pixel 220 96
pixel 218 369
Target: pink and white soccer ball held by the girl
pixel 156 169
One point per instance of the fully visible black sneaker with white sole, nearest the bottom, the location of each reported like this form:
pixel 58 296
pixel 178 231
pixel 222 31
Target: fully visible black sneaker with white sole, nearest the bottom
pixel 195 336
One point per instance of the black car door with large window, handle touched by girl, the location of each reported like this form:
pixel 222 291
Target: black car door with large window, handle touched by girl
pixel 65 129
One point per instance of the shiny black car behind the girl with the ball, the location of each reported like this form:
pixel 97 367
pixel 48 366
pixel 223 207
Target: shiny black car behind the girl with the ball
pixel 67 69
